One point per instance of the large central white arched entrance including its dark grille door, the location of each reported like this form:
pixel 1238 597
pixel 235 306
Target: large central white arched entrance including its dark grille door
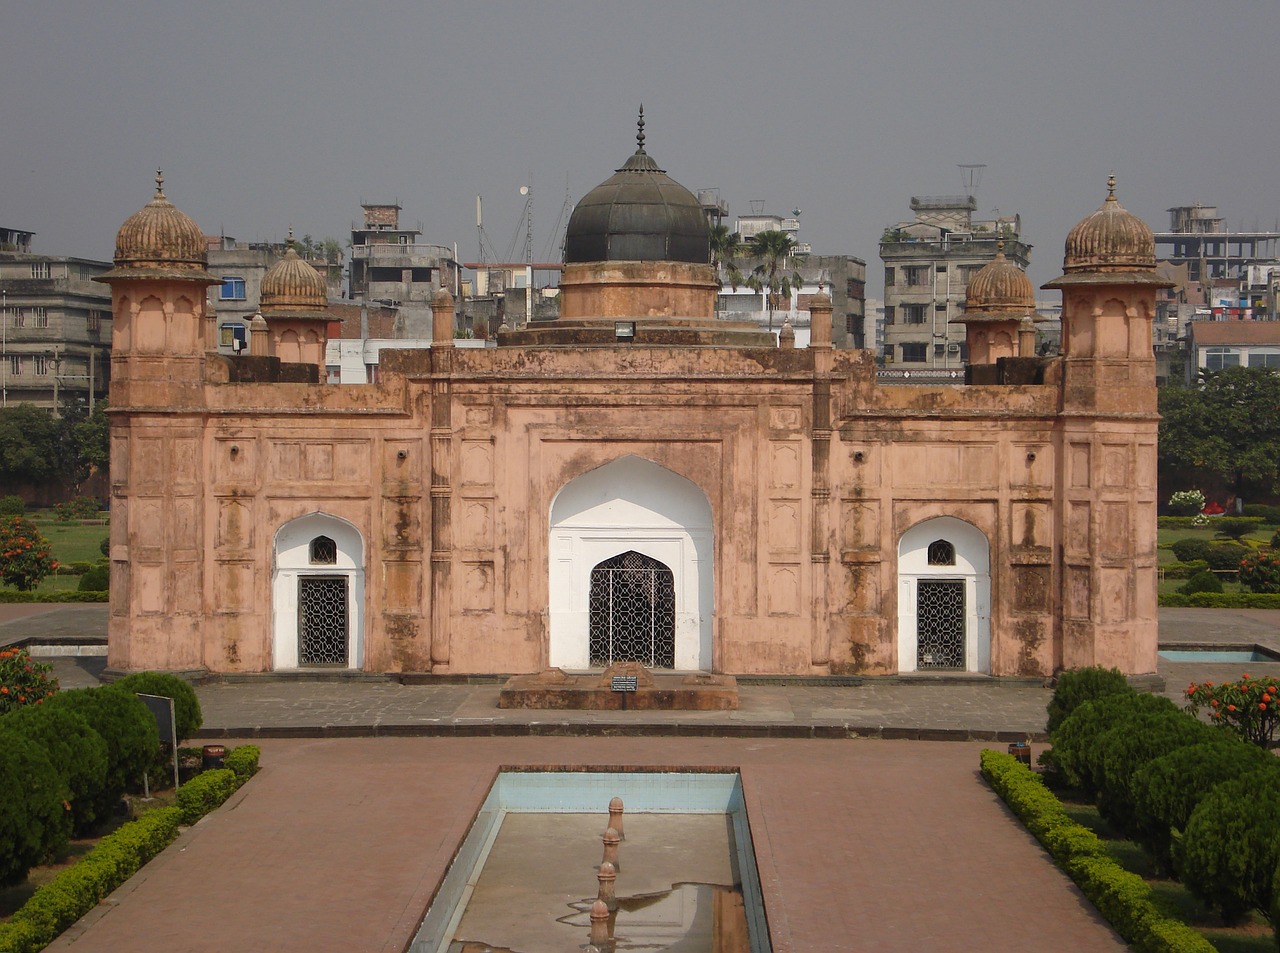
pixel 630 570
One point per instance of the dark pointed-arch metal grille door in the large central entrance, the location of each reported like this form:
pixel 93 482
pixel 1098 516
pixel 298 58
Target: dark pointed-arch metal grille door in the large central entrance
pixel 633 612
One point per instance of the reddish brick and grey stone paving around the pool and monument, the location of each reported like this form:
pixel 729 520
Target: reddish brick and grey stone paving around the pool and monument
pixel 863 844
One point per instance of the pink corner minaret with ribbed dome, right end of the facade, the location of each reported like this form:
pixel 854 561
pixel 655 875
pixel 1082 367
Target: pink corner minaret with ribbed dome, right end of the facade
pixel 1108 459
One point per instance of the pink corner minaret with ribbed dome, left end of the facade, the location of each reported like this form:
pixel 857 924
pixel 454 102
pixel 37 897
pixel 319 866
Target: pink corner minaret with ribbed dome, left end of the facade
pixel 158 363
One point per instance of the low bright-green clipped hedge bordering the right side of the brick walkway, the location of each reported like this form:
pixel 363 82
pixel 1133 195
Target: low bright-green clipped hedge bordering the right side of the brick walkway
pixel 1122 897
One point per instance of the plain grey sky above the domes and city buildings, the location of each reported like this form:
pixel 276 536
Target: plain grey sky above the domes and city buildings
pixel 266 114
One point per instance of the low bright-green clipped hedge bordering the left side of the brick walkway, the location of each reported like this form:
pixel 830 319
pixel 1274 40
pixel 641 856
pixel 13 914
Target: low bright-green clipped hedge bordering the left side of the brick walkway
pixel 118 856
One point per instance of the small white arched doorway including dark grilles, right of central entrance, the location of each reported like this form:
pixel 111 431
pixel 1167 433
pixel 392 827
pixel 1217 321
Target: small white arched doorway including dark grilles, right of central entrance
pixel 944 608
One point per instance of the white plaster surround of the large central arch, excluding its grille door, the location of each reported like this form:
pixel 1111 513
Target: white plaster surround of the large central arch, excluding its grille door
pixel 630 505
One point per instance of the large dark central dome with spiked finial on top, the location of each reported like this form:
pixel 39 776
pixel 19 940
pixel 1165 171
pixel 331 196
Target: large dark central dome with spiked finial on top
pixel 639 214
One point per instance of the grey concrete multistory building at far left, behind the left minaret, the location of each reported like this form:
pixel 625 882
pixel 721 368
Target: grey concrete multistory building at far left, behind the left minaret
pixel 56 328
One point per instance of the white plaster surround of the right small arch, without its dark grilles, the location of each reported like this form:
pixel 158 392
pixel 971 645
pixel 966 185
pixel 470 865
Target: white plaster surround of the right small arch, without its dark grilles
pixel 972 567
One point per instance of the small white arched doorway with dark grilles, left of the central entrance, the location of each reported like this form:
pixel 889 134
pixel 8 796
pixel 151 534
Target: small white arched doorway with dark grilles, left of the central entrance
pixel 318 595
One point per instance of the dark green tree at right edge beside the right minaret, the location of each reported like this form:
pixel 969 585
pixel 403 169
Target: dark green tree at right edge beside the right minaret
pixel 1228 425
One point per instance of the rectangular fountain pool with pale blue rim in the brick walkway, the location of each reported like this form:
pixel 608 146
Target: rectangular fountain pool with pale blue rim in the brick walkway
pixel 525 877
